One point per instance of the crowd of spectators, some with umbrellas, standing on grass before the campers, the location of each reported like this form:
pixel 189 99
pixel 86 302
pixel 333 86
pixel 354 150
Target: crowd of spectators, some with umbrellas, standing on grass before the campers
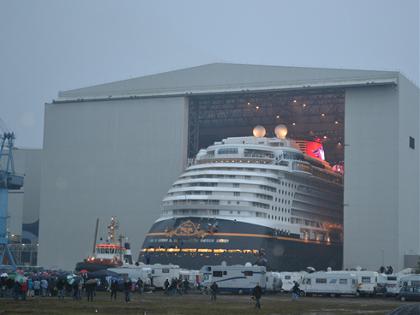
pixel 20 286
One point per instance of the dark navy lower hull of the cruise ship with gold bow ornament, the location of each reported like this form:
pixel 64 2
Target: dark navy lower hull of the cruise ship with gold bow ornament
pixel 192 242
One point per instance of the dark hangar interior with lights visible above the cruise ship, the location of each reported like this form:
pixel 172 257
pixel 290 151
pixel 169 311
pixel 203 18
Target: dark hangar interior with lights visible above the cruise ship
pixel 311 115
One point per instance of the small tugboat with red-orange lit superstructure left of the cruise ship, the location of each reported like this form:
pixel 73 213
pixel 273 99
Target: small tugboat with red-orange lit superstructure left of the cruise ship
pixel 108 254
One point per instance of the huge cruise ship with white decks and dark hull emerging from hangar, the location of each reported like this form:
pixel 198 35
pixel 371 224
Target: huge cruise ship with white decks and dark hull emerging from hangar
pixel 268 201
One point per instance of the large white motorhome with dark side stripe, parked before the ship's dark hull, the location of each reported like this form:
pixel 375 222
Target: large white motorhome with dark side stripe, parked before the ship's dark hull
pixel 235 278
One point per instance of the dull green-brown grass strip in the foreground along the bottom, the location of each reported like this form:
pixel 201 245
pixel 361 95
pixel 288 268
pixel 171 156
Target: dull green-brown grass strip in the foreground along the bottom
pixel 158 303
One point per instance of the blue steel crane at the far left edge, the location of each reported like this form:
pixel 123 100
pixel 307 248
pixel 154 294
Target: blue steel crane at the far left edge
pixel 9 180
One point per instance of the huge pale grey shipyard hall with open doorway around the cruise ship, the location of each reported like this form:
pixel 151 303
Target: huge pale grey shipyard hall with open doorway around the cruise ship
pixel 115 149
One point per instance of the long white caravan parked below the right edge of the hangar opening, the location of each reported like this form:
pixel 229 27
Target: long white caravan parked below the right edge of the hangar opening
pixel 329 283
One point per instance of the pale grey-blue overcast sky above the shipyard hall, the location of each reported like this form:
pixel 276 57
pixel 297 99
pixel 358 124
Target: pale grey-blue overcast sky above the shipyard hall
pixel 47 46
